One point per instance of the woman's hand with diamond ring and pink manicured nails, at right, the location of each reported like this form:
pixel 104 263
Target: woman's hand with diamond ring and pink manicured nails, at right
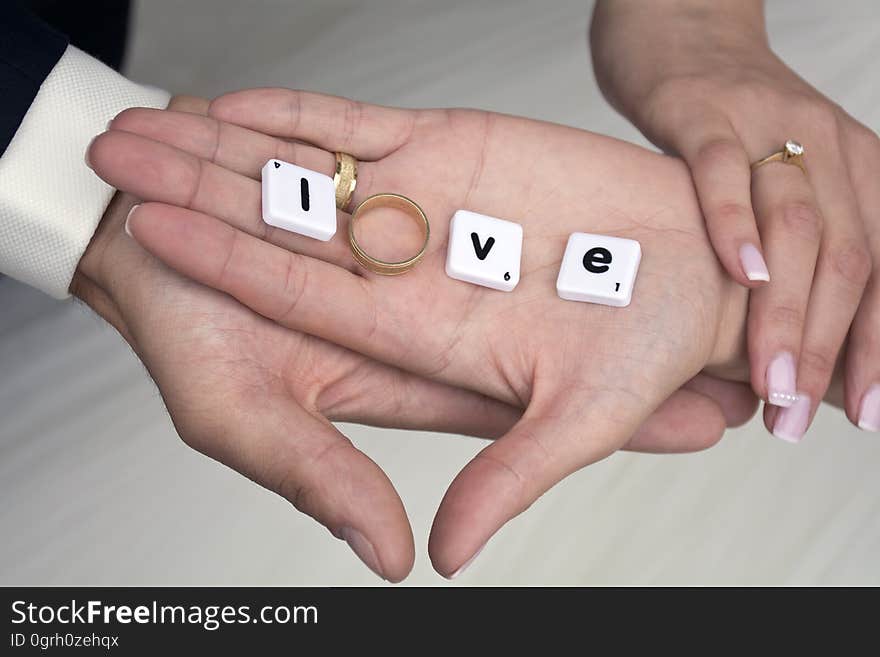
pixel 702 82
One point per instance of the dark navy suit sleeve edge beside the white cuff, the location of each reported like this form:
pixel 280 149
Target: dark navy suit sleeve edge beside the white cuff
pixel 29 50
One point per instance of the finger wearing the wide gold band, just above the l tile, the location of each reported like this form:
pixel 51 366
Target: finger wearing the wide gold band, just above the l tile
pixel 229 146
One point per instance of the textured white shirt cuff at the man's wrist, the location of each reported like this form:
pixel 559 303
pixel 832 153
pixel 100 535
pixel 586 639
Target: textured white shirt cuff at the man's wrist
pixel 50 201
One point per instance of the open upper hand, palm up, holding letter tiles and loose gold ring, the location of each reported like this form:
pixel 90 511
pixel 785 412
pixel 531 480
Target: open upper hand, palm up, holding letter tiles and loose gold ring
pixel 587 375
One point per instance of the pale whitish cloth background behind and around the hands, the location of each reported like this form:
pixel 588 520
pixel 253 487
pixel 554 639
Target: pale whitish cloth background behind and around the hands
pixel 97 489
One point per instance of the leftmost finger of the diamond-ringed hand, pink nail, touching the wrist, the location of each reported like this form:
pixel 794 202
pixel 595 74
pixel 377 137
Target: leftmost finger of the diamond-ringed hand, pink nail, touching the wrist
pixel 722 177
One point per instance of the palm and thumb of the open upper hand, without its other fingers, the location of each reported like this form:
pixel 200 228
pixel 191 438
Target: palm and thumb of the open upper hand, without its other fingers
pixel 587 374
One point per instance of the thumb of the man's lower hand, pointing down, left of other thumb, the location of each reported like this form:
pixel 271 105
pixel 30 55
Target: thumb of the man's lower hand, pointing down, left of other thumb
pixel 307 461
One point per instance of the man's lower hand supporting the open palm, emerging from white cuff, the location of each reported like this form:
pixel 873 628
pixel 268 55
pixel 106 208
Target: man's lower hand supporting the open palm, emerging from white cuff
pixel 258 397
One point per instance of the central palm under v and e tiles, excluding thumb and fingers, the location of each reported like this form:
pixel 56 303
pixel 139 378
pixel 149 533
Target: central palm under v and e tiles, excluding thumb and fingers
pixel 549 179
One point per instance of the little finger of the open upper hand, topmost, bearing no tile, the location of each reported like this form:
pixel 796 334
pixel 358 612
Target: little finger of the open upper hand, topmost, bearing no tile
pixel 368 132
